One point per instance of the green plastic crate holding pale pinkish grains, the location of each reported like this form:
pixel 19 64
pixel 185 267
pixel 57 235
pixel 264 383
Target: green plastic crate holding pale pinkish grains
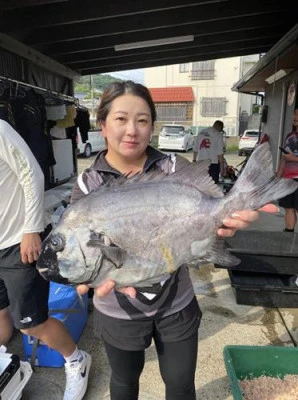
pixel 253 361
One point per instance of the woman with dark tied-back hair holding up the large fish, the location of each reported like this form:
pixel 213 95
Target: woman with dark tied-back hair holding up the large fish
pixel 168 313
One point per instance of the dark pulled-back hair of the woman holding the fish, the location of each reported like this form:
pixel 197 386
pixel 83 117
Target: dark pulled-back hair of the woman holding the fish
pixel 117 89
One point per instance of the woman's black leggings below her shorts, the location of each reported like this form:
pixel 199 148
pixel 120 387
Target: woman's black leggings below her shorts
pixel 177 363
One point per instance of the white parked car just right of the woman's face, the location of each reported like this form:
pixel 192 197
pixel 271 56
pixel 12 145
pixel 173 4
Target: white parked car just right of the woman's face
pixel 175 137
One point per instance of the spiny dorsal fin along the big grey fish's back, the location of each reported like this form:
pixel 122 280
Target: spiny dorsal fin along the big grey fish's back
pixel 194 174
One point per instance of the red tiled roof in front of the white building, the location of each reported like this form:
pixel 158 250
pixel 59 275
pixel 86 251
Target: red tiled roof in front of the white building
pixel 172 94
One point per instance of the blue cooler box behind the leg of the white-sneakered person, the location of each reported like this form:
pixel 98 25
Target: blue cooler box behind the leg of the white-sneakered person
pixel 72 310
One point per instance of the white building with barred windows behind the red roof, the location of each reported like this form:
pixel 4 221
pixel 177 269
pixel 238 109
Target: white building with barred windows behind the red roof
pixel 211 82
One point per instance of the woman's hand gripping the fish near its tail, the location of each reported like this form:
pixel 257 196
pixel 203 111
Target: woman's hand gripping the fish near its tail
pixel 242 219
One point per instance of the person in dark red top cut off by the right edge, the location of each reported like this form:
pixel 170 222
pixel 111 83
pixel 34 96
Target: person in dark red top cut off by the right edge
pixel 288 168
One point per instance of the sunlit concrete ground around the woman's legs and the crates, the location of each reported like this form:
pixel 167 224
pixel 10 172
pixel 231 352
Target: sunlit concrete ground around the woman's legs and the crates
pixel 224 322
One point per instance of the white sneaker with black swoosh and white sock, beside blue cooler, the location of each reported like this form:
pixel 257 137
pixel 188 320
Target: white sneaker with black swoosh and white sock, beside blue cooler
pixel 77 373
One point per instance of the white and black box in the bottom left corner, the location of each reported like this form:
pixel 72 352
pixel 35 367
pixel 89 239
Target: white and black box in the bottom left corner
pixel 14 374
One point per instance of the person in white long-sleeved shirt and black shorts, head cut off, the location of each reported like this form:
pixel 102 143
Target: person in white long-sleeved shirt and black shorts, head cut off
pixel 23 292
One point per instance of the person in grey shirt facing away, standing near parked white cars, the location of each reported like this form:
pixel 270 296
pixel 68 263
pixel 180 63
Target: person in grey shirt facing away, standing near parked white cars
pixel 209 145
